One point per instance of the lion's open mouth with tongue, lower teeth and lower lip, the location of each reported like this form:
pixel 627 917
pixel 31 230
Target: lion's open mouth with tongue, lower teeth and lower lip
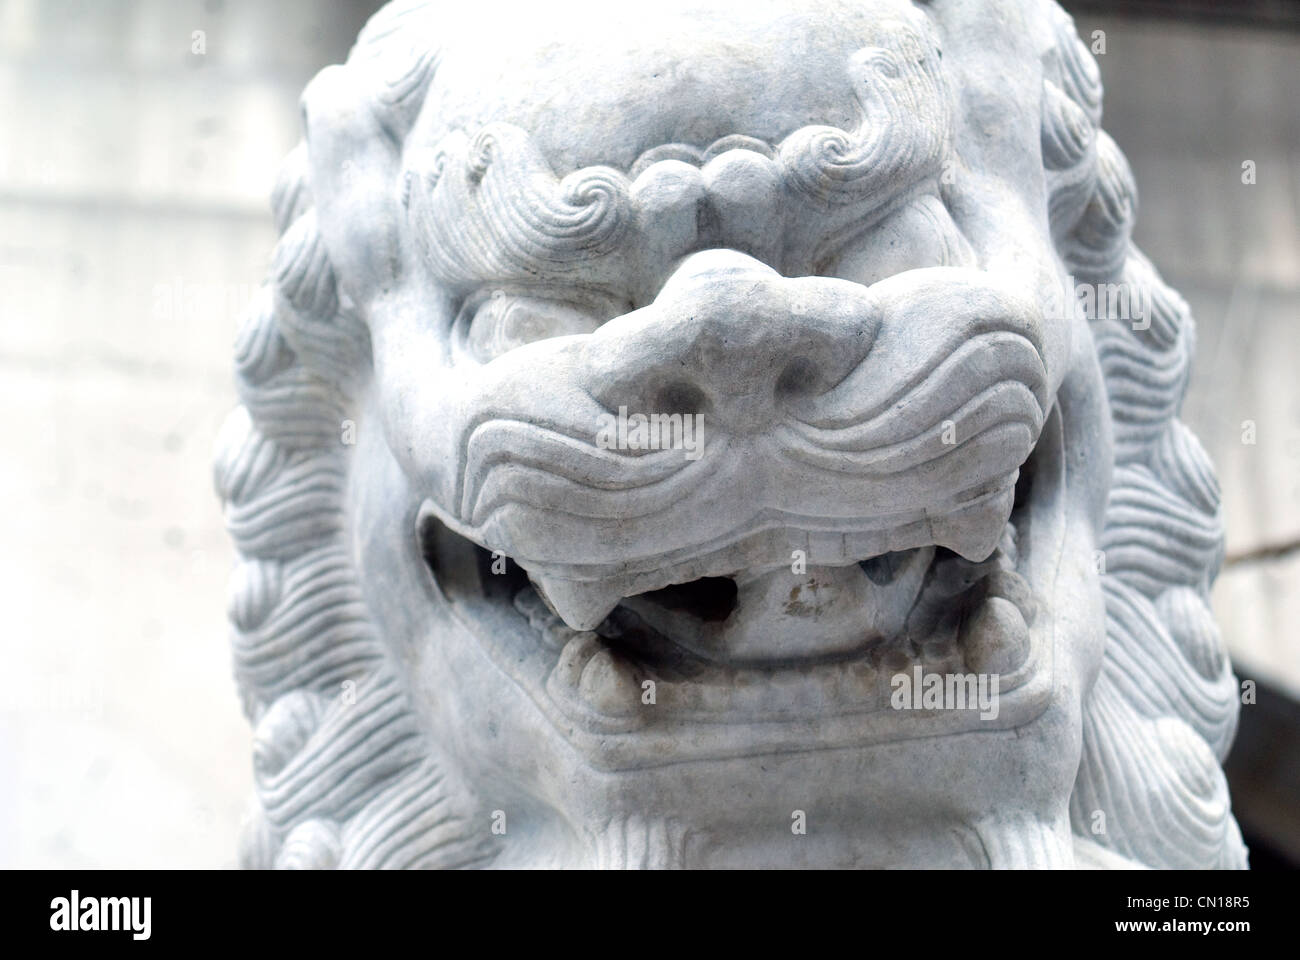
pixel 778 648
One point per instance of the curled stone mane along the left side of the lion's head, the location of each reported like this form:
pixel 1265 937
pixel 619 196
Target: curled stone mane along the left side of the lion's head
pixel 344 776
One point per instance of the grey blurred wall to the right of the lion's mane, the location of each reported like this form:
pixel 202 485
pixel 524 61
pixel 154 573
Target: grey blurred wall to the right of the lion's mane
pixel 1190 106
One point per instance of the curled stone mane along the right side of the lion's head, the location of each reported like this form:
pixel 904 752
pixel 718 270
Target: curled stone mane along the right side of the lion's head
pixel 1162 716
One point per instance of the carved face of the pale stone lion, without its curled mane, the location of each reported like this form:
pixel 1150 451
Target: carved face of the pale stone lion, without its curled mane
pixel 881 482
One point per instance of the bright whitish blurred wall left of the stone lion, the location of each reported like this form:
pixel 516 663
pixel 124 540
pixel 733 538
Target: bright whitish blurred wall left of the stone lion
pixel 136 163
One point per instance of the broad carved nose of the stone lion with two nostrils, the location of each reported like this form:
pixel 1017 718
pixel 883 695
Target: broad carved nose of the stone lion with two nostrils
pixel 731 339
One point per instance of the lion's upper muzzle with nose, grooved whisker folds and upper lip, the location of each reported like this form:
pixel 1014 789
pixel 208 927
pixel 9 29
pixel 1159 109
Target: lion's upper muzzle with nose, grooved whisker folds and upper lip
pixel 846 422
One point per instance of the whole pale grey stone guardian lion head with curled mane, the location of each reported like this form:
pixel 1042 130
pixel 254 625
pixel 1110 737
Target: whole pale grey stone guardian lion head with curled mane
pixel 833 236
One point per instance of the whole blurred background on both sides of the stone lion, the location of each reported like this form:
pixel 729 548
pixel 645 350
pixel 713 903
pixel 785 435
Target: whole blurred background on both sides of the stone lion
pixel 138 146
